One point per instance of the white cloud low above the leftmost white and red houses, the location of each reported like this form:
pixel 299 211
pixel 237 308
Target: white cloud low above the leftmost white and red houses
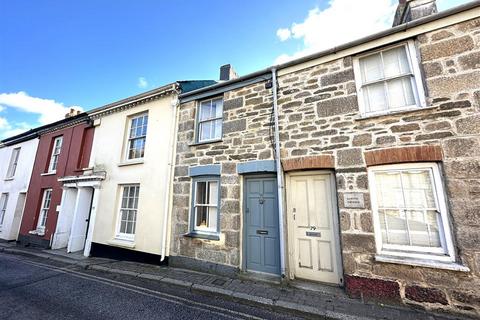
pixel 48 110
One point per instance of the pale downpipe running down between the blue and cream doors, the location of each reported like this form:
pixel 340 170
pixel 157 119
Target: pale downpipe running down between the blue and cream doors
pixel 280 184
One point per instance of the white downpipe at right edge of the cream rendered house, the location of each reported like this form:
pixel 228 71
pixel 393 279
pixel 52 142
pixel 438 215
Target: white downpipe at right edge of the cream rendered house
pixel 169 177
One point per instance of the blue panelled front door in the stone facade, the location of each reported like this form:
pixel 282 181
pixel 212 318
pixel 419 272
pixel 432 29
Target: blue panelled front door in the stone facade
pixel 262 245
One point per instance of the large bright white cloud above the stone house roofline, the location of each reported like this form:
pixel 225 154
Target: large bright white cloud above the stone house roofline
pixel 340 22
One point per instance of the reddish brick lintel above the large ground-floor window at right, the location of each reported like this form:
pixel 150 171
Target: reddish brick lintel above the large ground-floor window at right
pixel 403 154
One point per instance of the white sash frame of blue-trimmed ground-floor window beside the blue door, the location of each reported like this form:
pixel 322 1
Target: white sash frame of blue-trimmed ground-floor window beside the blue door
pixel 193 209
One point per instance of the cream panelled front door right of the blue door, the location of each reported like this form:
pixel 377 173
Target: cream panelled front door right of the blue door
pixel 313 227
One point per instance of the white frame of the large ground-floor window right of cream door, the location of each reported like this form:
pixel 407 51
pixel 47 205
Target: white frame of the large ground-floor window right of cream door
pixel 447 254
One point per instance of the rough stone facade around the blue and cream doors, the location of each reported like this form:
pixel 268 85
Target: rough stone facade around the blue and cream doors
pixel 319 116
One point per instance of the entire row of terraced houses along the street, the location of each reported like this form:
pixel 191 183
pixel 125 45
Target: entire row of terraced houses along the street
pixel 357 166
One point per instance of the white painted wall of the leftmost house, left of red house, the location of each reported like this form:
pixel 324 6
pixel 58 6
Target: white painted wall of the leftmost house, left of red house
pixel 19 184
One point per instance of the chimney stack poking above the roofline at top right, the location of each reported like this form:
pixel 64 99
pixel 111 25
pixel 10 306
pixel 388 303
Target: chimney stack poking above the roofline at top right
pixel 409 10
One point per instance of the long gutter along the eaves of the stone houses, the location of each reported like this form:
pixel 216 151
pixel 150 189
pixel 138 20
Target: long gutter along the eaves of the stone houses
pixel 348 45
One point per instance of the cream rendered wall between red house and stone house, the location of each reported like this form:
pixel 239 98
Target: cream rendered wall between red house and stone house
pixel 108 155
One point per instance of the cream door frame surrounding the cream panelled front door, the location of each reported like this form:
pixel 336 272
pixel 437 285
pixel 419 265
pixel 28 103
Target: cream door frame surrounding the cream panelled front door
pixel 335 212
